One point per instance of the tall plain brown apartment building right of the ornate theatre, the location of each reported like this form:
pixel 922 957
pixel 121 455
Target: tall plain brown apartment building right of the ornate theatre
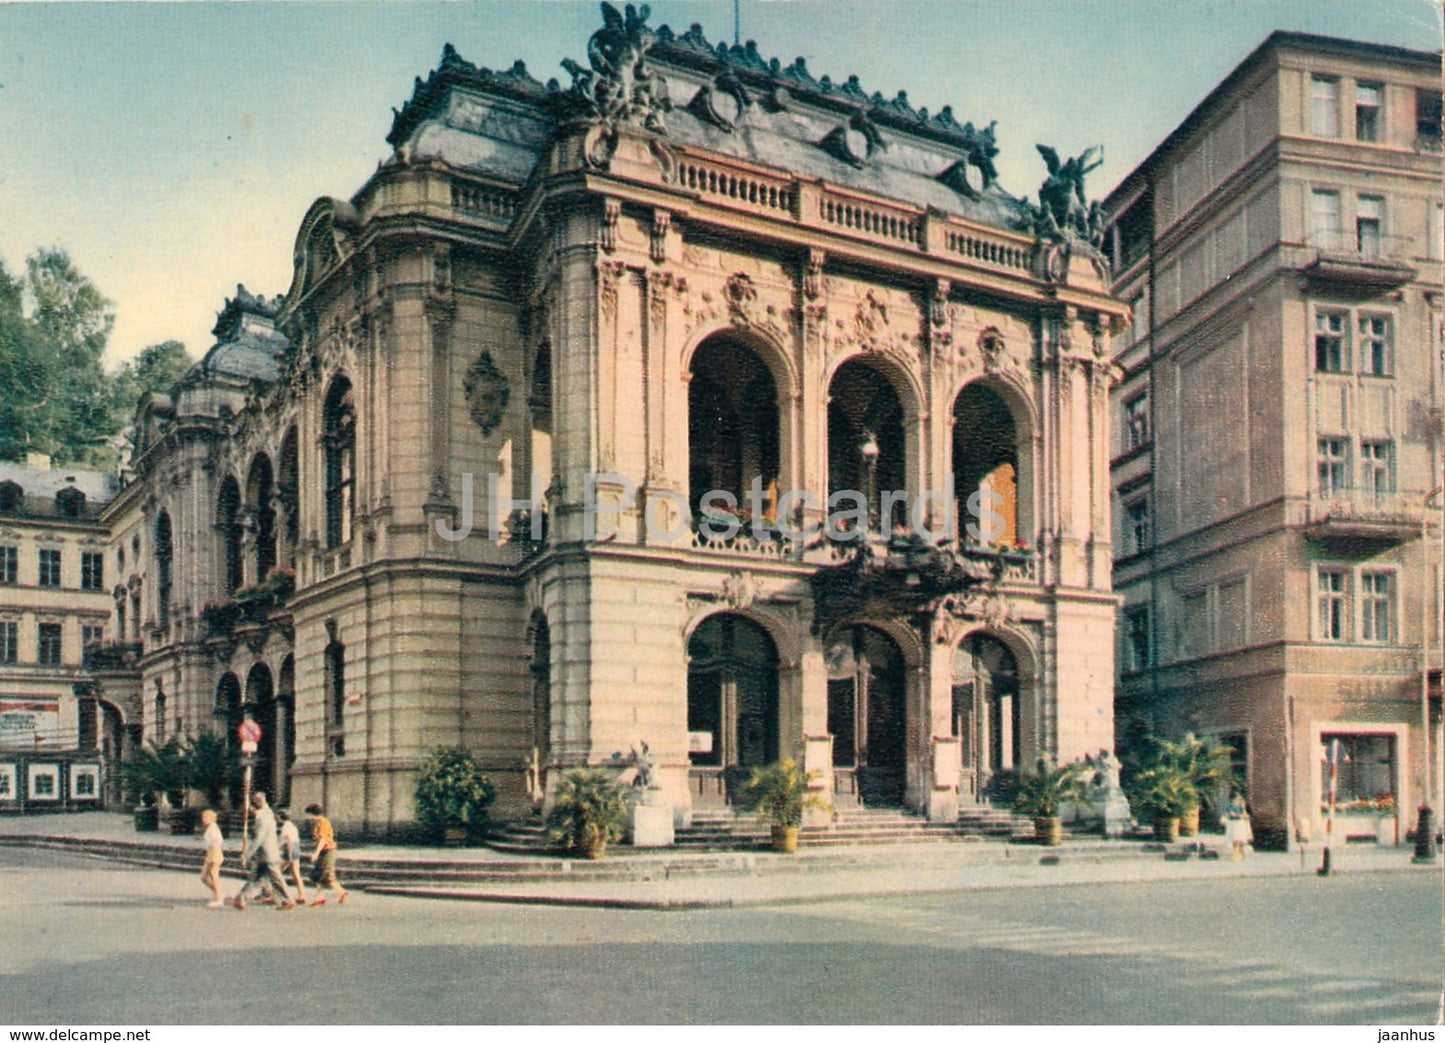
pixel 1277 460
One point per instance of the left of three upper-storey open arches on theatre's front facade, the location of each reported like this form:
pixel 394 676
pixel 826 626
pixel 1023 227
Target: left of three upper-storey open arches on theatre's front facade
pixel 733 430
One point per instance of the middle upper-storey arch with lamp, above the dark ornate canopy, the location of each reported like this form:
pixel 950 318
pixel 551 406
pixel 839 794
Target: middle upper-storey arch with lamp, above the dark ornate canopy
pixel 866 441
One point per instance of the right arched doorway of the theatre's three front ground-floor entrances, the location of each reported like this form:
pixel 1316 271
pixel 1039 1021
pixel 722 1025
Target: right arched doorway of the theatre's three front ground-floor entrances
pixel 988 713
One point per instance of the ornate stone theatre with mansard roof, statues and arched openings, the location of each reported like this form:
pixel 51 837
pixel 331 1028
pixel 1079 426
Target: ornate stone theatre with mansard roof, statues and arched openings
pixel 535 453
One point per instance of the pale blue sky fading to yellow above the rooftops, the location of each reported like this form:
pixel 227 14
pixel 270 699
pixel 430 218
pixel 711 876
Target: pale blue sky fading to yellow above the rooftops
pixel 174 148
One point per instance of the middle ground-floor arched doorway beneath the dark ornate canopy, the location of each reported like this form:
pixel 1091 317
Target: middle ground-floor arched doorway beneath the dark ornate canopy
pixel 868 714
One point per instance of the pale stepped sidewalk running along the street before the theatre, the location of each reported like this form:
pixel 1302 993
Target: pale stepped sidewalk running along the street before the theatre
pixel 693 880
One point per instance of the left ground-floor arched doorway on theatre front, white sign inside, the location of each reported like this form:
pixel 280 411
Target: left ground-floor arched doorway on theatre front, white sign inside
pixel 732 703
